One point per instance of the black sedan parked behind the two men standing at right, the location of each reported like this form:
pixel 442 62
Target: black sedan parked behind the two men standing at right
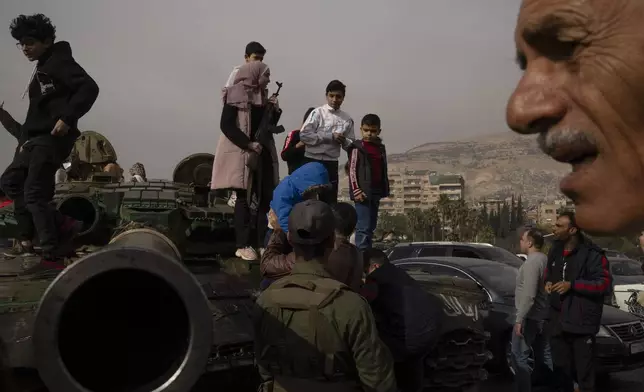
pixel 620 341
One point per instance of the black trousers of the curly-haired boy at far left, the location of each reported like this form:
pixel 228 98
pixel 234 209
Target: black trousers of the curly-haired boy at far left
pixel 29 181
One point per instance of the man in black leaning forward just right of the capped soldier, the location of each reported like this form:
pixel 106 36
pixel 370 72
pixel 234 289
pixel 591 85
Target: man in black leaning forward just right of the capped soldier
pixel 408 318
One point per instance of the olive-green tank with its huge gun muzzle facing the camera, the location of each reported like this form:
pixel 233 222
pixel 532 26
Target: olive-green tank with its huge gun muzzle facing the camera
pixel 173 221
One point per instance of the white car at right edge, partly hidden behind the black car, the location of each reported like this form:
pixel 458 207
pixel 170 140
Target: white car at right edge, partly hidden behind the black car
pixel 628 285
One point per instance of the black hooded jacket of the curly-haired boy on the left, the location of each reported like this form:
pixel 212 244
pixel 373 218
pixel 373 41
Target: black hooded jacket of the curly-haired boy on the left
pixel 60 90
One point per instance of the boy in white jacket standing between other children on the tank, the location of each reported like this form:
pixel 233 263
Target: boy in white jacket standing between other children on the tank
pixel 326 130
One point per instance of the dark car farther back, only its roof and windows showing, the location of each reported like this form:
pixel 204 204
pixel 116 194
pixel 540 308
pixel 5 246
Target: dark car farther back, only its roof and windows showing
pixel 454 249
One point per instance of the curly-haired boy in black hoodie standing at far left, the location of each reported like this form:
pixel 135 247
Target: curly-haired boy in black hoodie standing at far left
pixel 60 92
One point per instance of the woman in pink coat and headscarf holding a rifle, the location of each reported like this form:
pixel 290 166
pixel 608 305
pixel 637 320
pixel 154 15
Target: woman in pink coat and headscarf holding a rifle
pixel 241 115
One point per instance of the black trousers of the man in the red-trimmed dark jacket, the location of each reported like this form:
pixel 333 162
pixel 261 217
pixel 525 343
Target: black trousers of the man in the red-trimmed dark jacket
pixel 573 359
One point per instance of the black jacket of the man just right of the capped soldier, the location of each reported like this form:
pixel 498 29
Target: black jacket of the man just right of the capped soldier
pixel 408 317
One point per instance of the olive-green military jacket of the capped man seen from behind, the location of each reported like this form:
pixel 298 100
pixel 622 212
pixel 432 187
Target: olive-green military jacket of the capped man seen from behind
pixel 313 333
